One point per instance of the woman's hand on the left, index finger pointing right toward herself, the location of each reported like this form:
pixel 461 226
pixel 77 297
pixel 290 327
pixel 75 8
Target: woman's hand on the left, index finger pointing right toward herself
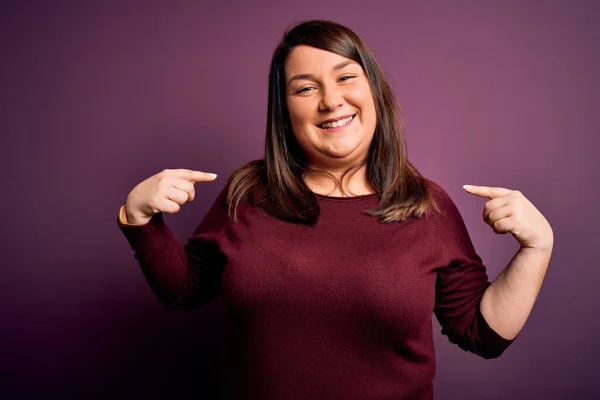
pixel 166 191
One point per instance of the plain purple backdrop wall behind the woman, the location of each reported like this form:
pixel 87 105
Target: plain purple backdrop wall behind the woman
pixel 96 97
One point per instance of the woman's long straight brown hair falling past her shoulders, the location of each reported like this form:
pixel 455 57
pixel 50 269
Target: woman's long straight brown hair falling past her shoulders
pixel 275 184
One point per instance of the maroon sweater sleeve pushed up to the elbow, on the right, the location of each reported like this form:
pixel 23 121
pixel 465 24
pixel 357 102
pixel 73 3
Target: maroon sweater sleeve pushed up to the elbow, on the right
pixel 460 284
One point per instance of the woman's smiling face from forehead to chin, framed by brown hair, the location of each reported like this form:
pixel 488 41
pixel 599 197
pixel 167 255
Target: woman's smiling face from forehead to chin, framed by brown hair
pixel 331 106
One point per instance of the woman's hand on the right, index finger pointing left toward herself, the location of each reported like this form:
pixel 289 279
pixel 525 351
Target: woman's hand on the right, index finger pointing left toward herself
pixel 510 211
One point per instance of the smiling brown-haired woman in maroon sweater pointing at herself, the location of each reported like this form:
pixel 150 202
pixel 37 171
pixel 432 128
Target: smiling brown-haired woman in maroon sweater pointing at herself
pixel 332 253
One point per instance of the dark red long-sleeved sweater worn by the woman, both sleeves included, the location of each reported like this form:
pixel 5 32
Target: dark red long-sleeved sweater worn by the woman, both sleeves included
pixel 340 310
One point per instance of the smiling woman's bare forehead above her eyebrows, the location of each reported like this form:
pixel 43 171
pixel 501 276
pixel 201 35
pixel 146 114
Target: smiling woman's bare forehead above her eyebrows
pixel 306 59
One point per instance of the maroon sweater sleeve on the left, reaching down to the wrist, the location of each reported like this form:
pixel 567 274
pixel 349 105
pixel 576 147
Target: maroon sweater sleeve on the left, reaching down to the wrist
pixel 181 276
